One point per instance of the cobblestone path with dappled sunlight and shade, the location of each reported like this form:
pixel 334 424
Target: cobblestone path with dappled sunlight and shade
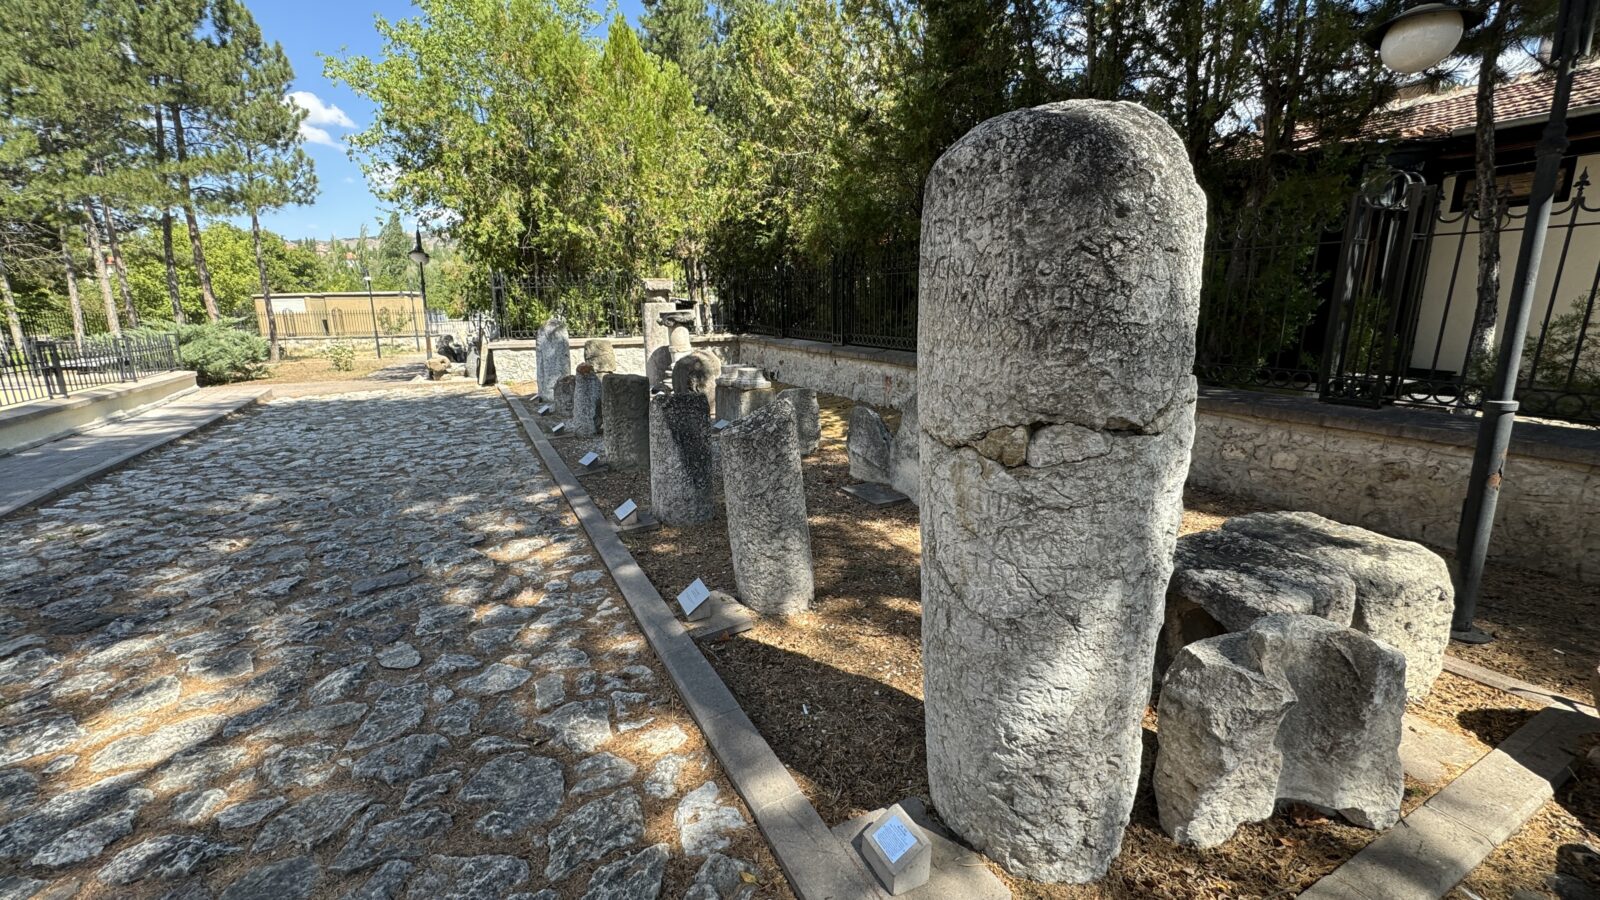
pixel 346 646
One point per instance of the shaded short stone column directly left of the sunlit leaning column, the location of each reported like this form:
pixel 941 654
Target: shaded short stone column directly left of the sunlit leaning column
pixel 681 464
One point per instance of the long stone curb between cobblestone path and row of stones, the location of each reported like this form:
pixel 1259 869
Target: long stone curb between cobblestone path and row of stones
pixel 818 866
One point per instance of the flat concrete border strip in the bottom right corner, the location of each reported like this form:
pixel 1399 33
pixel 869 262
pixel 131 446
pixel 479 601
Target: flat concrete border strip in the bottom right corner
pixel 1442 842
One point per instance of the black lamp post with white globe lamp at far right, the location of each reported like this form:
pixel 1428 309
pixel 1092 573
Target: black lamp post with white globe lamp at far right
pixel 1412 42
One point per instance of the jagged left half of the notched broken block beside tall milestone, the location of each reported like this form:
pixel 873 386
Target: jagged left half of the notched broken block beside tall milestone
pixel 1220 763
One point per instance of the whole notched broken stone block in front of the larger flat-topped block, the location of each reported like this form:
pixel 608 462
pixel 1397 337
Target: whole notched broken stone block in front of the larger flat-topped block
pixel 1297 709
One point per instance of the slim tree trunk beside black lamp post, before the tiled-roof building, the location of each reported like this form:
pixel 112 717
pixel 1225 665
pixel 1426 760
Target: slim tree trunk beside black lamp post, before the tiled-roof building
pixel 1486 315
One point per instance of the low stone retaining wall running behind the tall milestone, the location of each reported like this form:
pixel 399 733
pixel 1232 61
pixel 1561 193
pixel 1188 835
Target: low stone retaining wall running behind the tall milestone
pixel 1398 472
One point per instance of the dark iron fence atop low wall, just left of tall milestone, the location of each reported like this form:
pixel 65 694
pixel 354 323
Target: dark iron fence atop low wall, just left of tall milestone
pixel 865 300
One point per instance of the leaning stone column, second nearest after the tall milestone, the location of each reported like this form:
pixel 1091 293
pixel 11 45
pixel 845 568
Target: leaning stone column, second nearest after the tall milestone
pixel 769 531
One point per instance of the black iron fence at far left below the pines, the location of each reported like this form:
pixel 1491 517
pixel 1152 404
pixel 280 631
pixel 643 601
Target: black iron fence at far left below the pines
pixel 36 369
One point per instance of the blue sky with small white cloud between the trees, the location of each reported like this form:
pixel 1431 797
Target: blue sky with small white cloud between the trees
pixel 310 30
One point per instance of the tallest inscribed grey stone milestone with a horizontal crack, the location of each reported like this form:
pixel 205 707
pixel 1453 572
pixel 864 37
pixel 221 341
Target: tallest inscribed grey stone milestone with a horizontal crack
pixel 1060 284
